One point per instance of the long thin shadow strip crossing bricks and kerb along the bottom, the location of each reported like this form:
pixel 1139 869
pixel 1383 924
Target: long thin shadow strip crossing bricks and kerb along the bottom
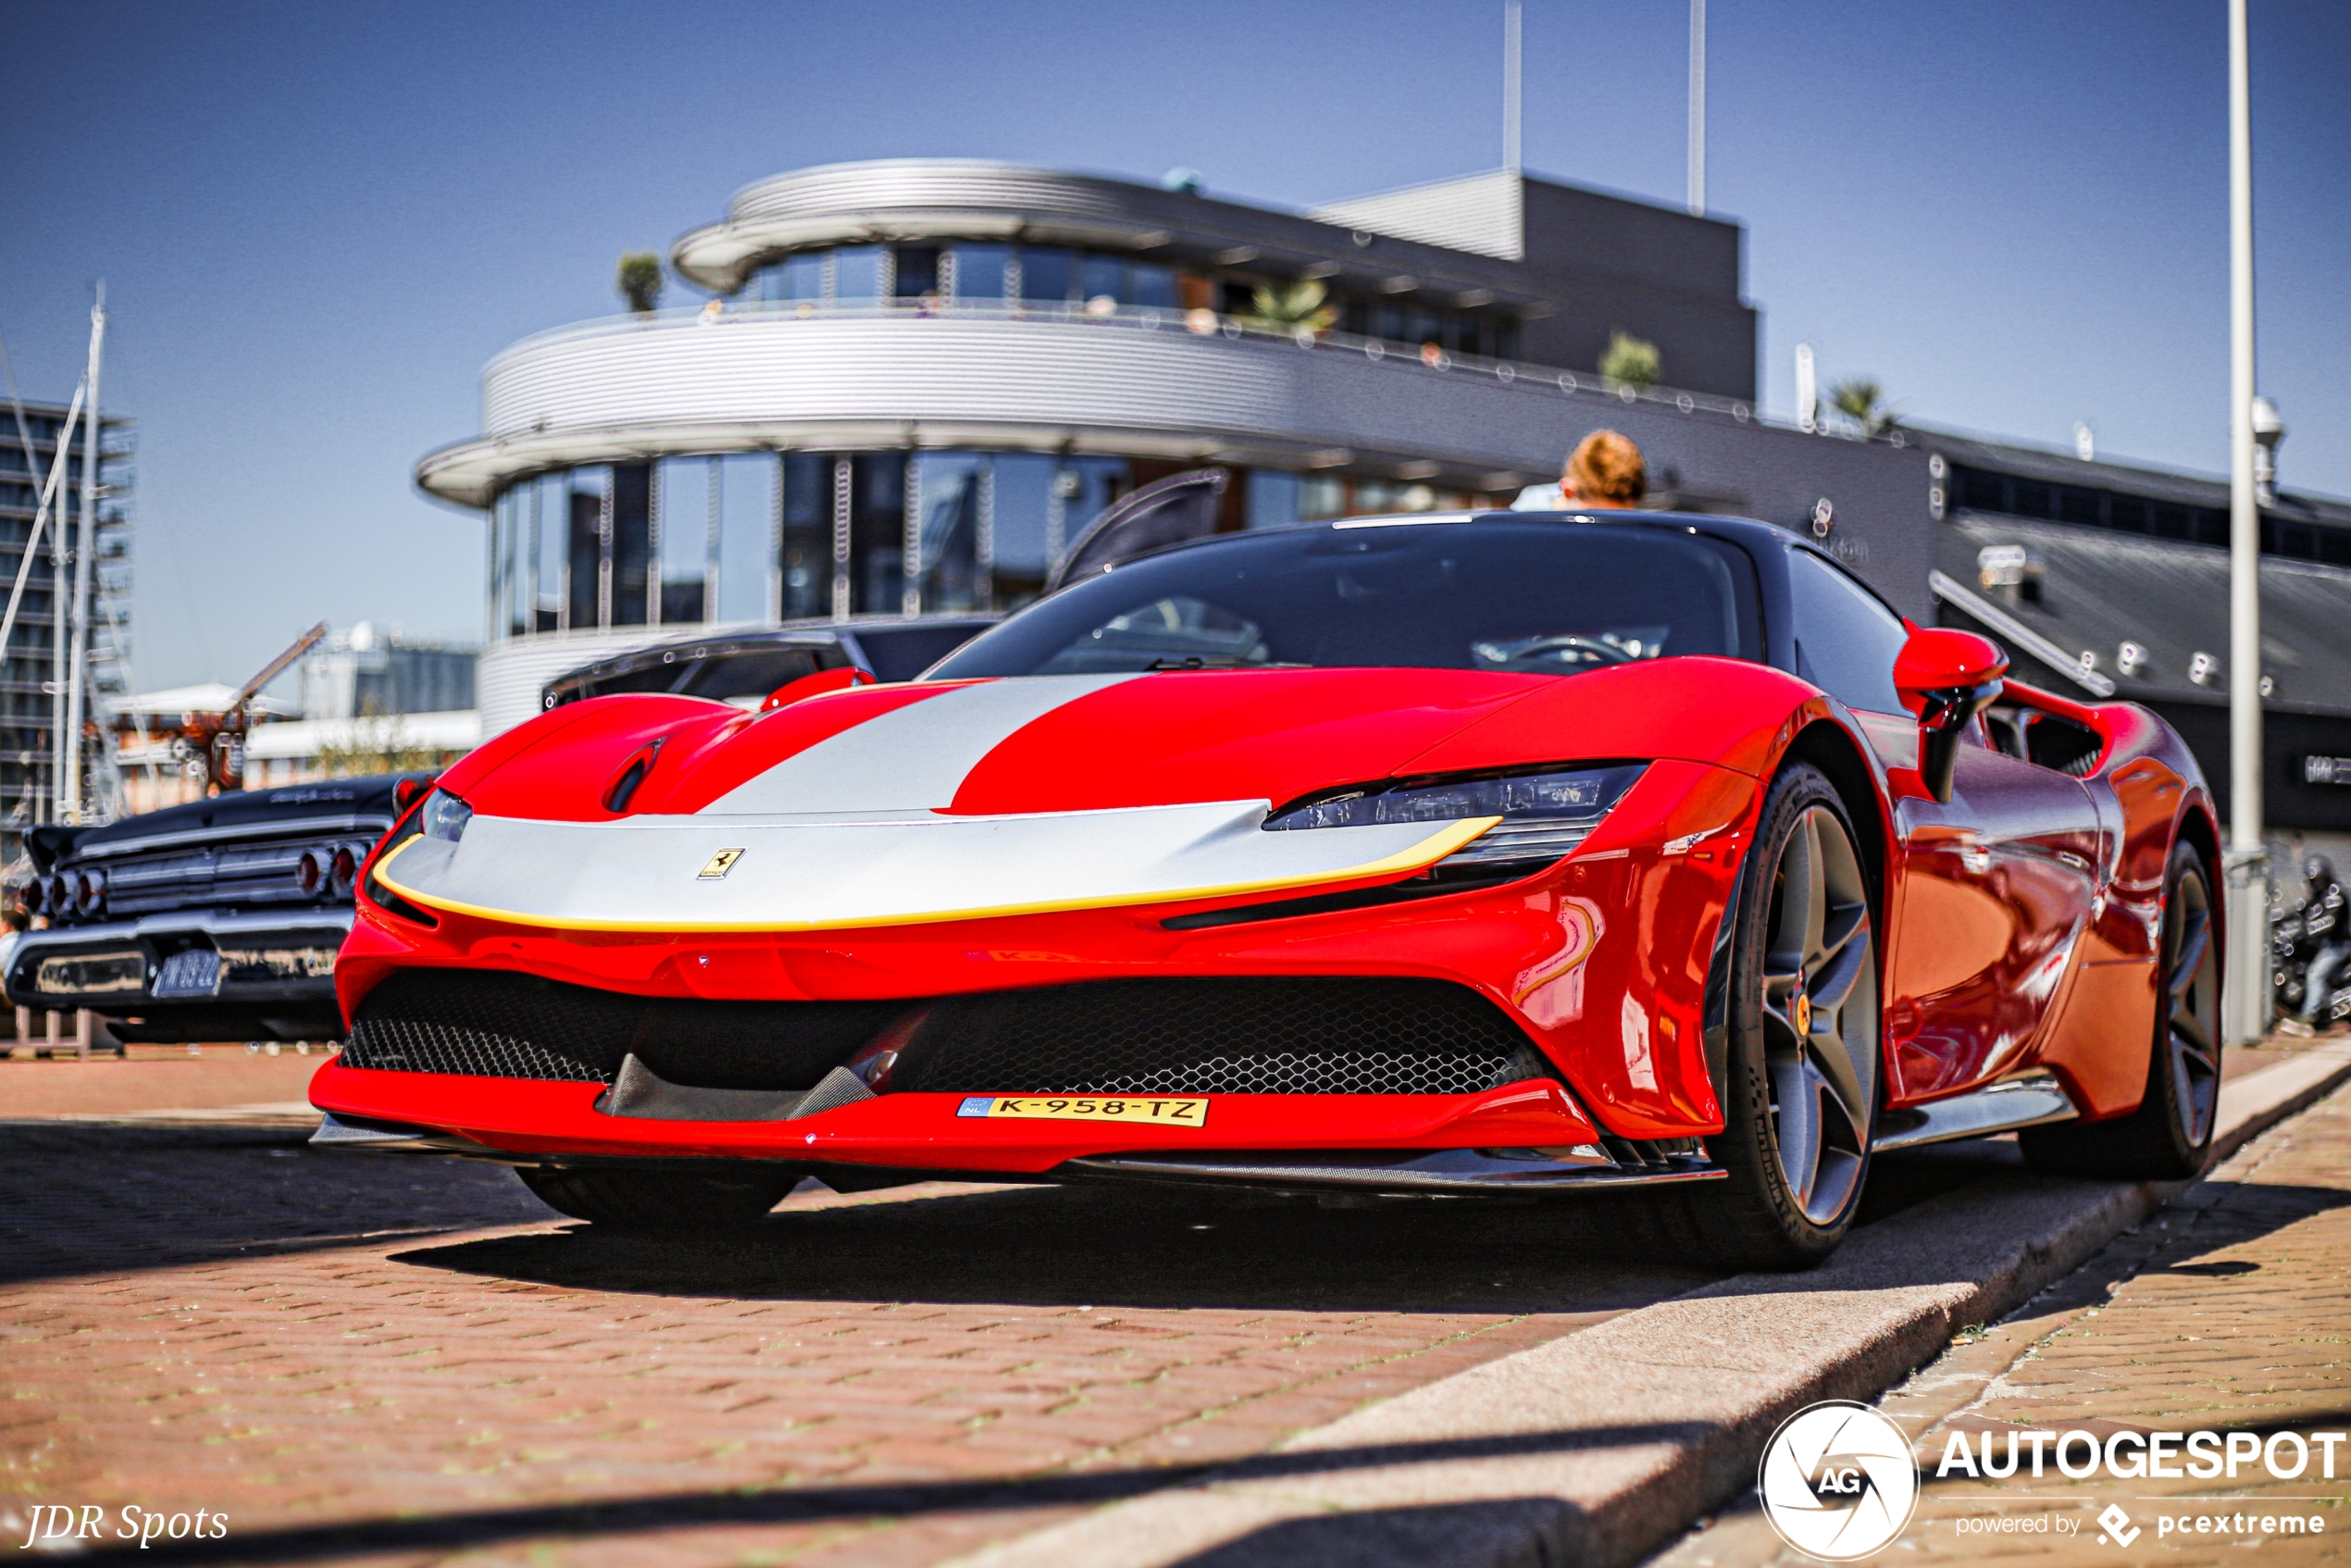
pixel 899 1501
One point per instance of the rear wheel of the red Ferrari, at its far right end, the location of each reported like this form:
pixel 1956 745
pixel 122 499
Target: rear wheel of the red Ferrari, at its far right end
pixel 2171 1134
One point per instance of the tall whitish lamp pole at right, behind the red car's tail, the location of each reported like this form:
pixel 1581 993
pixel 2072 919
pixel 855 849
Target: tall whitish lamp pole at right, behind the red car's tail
pixel 2249 991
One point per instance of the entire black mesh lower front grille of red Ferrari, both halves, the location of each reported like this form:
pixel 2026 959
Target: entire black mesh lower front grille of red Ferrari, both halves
pixel 1198 1036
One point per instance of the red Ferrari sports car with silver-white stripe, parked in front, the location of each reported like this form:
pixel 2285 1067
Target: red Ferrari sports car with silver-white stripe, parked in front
pixel 1431 855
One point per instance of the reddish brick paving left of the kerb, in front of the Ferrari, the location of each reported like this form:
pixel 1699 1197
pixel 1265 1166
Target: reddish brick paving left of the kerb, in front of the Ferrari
pixel 401 1362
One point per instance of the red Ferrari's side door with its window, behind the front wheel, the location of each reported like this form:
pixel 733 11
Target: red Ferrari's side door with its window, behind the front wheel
pixel 1990 890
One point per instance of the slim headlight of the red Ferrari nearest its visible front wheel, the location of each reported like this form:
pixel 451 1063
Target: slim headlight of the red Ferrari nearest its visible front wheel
pixel 1543 815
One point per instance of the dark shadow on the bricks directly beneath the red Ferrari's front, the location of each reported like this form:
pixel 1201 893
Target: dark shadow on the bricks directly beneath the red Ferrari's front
pixel 1073 1247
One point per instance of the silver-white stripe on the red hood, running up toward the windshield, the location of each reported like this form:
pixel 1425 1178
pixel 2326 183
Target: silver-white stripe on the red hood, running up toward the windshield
pixel 911 758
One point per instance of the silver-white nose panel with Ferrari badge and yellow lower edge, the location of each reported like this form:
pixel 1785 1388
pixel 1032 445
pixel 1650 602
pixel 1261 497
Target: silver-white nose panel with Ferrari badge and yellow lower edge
pixel 801 876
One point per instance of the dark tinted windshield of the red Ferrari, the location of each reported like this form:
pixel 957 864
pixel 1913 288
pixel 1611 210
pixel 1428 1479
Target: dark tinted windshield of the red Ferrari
pixel 1541 598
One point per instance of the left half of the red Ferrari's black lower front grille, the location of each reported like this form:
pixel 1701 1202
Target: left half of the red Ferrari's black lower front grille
pixel 523 1028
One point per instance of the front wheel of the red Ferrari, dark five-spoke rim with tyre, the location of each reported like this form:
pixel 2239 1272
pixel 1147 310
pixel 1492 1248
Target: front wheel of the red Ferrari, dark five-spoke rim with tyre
pixel 1804 1057
